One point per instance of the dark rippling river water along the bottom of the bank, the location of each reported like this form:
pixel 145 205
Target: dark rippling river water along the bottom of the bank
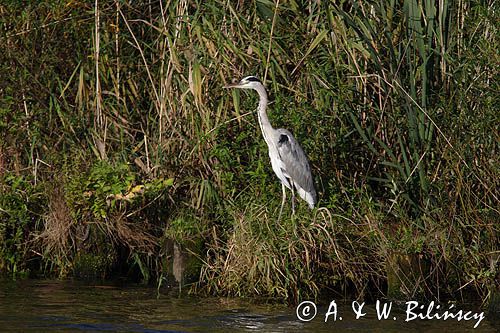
pixel 66 306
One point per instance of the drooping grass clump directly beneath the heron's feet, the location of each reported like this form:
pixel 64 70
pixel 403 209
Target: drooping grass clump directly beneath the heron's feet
pixel 290 260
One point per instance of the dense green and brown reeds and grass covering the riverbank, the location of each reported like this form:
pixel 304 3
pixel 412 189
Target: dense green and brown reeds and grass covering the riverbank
pixel 118 140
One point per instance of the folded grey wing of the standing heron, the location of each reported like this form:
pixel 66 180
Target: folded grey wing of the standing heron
pixel 295 161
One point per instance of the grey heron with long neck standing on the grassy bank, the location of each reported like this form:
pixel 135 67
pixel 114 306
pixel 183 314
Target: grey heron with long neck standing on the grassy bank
pixel 288 160
